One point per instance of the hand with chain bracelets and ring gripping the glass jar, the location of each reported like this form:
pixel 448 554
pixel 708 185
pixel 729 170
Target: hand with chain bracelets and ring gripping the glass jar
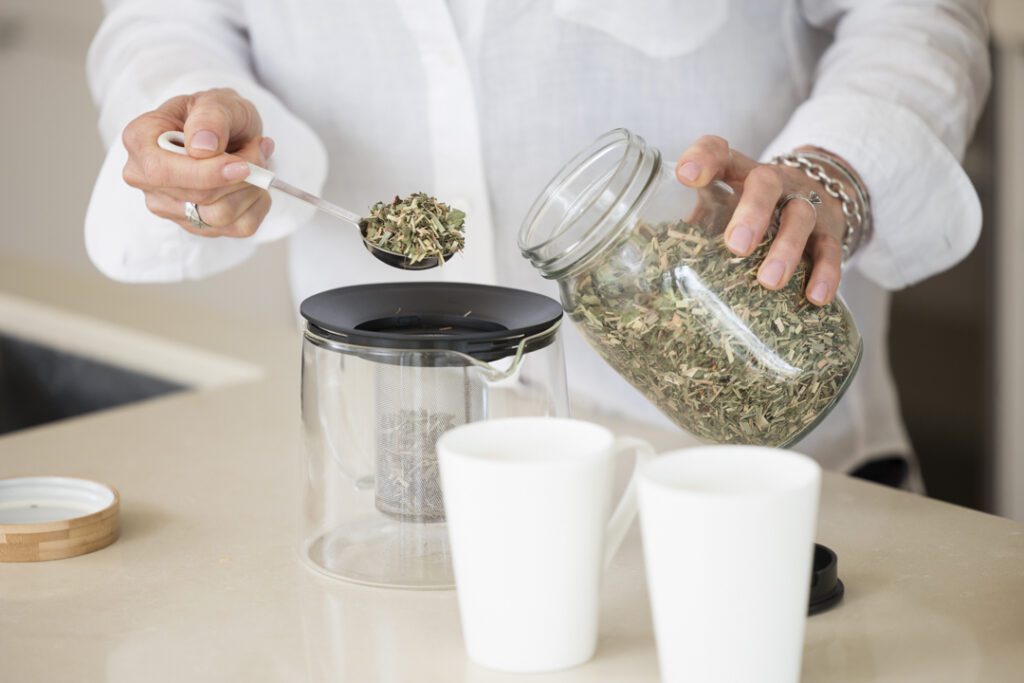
pixel 821 231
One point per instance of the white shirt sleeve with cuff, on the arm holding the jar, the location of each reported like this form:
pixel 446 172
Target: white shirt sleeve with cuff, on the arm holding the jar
pixel 898 95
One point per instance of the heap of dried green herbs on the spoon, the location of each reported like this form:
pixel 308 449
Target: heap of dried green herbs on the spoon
pixel 417 228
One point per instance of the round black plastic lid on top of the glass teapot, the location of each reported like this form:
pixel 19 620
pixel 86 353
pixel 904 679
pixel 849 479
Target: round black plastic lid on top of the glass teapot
pixel 487 323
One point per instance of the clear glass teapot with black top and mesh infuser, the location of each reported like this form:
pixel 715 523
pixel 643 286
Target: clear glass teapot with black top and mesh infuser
pixel 387 370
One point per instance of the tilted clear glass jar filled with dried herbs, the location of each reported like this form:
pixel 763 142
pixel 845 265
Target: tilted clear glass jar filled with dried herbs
pixel 646 275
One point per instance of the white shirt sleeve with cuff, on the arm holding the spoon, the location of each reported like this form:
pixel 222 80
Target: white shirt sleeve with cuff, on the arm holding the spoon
pixel 146 53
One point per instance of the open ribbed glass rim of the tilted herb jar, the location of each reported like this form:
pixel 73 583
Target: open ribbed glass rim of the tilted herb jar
pixel 558 247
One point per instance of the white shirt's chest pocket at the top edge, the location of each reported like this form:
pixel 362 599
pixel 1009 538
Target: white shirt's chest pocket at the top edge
pixel 660 29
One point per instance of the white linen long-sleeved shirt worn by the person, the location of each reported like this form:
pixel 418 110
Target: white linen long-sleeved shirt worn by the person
pixel 481 103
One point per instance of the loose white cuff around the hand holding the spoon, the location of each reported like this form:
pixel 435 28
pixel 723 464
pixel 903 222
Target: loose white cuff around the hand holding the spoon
pixel 130 244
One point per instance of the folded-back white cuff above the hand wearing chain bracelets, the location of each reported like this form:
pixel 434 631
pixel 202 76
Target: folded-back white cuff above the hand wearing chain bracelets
pixel 927 217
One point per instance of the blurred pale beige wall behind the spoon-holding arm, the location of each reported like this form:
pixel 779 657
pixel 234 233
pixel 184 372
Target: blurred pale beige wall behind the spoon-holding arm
pixel 52 152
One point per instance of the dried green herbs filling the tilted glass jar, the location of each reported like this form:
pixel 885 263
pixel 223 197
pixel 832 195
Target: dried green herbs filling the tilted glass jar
pixel 687 323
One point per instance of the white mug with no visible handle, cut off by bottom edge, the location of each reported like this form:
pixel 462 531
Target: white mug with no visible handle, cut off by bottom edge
pixel 729 537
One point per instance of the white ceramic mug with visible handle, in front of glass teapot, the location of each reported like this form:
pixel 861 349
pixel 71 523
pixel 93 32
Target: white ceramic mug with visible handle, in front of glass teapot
pixel 528 502
